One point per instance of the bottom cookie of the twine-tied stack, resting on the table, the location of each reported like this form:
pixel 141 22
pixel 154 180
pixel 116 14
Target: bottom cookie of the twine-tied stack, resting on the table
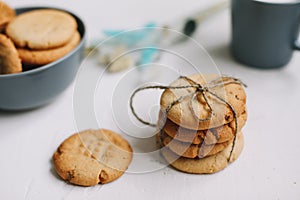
pixel 207 165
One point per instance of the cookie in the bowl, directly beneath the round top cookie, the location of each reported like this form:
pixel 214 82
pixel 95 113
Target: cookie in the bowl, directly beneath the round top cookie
pixel 42 57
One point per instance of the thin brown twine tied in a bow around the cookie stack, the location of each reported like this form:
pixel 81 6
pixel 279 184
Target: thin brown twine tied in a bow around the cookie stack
pixel 199 89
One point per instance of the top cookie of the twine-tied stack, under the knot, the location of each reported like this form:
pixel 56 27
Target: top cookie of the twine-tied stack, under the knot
pixel 182 113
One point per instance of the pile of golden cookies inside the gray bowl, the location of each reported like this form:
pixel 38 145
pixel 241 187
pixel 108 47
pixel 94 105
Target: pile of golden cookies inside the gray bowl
pixel 35 38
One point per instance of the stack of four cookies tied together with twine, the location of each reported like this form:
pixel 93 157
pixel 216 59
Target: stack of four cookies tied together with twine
pixel 200 125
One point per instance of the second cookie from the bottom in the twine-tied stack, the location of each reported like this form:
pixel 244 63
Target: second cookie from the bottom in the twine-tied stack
pixel 189 150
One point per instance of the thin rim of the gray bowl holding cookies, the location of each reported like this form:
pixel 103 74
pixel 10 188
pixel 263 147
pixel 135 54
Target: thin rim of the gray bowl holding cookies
pixel 49 65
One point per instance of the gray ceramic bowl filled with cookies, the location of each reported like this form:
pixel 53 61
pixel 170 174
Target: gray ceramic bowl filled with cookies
pixel 37 87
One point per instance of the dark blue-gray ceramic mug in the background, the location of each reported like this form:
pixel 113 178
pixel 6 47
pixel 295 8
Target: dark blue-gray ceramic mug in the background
pixel 265 32
